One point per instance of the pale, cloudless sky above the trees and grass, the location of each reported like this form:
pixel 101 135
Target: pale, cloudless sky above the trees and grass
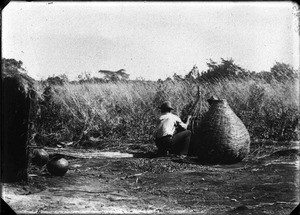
pixel 151 40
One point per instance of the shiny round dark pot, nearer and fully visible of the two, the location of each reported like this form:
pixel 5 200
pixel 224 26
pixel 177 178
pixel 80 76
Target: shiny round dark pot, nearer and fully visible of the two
pixel 58 166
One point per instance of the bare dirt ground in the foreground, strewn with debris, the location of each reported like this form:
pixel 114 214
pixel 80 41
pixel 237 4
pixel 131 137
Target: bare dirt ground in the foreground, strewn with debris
pixel 136 182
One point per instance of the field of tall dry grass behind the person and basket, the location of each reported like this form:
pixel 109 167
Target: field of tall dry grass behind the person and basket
pixel 128 111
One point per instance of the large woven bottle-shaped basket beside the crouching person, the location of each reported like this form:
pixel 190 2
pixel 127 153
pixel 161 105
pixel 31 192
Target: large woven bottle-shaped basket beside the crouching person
pixel 221 137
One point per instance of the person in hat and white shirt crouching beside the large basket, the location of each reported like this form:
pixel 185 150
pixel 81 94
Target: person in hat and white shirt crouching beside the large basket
pixel 171 134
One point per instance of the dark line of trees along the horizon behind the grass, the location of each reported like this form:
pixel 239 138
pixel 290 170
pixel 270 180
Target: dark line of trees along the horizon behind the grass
pixel 225 69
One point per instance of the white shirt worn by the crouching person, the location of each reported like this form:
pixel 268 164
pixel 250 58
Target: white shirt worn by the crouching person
pixel 167 125
